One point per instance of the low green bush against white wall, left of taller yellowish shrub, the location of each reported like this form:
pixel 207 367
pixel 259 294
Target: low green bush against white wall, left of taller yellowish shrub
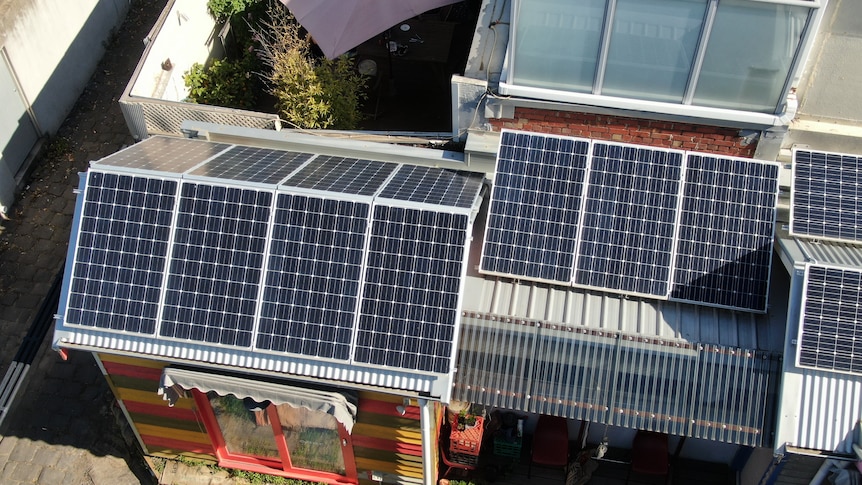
pixel 223 83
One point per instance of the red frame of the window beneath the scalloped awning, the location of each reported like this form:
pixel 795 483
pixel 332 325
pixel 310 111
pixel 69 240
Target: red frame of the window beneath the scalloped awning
pixel 280 467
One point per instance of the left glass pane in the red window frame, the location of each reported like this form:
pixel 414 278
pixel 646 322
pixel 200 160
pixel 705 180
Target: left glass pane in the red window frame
pixel 244 426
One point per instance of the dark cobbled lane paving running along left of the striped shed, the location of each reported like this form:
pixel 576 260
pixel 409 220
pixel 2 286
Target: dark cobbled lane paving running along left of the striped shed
pixel 62 426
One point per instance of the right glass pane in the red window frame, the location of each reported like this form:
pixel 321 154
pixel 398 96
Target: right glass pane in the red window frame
pixel 312 439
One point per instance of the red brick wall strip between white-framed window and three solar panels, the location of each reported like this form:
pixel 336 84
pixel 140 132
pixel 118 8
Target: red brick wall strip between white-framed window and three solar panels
pixel 684 136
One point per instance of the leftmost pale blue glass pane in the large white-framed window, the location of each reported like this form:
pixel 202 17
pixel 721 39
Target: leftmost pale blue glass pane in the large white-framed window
pixel 557 43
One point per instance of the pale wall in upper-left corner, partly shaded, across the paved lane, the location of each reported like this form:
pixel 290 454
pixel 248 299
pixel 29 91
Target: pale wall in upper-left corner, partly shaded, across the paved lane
pixel 52 48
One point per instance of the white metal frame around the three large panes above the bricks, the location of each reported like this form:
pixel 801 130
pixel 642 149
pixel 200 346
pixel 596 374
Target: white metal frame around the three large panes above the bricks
pixel 781 116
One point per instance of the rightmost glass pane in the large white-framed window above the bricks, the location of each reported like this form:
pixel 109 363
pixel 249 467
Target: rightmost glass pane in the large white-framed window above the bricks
pixel 749 55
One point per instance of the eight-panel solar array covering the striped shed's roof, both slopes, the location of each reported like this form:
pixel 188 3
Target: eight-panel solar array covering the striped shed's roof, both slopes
pixel 303 257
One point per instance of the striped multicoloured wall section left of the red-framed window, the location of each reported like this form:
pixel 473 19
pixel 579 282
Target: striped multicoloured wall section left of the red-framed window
pixel 164 431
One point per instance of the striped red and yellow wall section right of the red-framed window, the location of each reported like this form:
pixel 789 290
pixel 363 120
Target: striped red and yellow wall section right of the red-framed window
pixel 386 443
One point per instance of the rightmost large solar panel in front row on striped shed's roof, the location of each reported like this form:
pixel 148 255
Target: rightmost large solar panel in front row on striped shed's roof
pixel 413 279
